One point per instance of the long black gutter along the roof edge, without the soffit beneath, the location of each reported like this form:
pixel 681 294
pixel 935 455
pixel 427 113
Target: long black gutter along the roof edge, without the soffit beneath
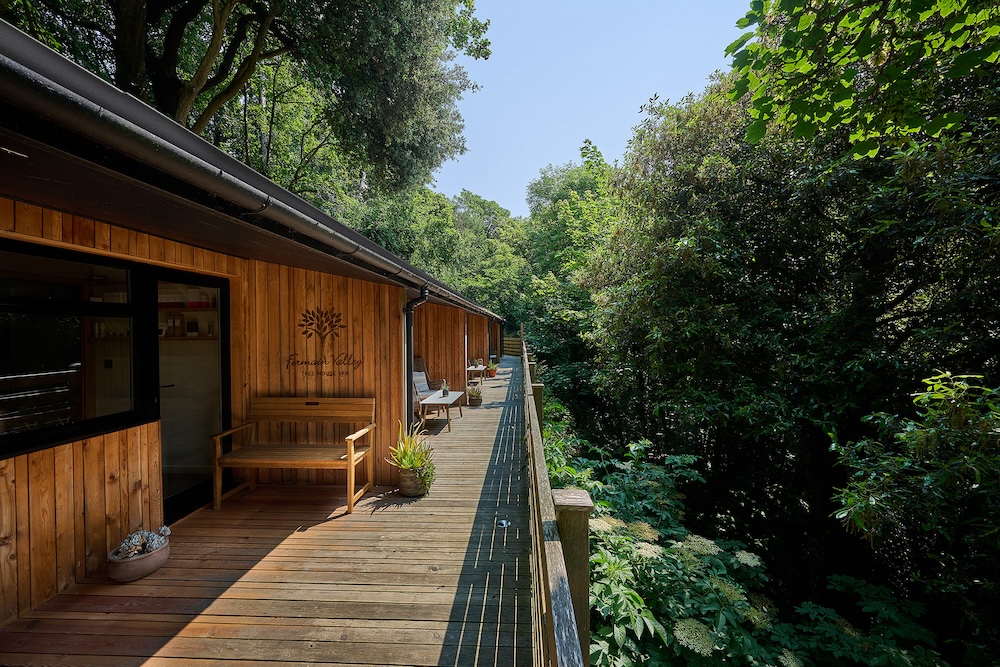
pixel 37 79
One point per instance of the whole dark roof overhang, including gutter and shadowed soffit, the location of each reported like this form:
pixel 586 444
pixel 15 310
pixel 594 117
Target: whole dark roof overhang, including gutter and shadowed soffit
pixel 72 142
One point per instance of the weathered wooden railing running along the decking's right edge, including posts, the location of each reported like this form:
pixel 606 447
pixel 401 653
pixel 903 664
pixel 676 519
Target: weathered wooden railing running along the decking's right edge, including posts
pixel 560 628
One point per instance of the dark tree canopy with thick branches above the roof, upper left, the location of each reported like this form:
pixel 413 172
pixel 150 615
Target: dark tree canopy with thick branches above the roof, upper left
pixel 382 74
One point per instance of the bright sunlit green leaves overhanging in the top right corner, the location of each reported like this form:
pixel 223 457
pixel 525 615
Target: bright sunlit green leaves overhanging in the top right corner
pixel 872 66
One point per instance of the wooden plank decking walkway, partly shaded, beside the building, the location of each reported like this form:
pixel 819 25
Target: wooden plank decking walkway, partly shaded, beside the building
pixel 283 576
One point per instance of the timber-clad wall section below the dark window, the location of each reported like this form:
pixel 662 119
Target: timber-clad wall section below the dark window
pixel 62 509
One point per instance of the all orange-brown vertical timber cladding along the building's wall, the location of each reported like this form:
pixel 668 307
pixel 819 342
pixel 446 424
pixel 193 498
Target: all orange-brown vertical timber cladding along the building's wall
pixel 62 508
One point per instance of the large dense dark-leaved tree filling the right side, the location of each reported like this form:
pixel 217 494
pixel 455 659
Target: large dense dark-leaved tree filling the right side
pixel 751 299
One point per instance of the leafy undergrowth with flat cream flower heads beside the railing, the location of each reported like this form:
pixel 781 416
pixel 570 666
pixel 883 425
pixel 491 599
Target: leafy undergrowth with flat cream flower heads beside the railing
pixel 663 595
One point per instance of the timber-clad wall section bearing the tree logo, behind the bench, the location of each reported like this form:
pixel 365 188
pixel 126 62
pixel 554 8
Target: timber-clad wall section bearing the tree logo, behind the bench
pixel 314 334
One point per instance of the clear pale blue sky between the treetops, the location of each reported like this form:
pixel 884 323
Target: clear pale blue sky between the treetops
pixel 562 72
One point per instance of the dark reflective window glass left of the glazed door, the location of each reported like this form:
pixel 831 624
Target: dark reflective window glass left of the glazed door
pixel 65 357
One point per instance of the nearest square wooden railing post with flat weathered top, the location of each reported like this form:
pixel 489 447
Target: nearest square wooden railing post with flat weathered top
pixel 573 508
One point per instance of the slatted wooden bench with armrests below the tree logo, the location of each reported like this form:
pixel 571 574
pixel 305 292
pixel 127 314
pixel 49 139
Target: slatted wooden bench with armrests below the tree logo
pixel 289 409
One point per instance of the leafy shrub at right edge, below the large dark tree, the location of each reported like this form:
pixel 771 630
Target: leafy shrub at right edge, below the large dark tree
pixel 925 492
